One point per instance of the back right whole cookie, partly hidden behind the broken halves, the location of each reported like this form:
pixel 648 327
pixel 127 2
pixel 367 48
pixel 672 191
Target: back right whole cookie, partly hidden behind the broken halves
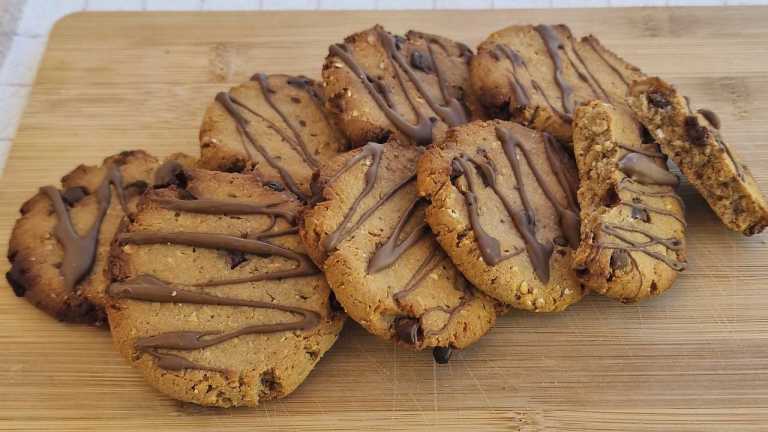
pixel 538 75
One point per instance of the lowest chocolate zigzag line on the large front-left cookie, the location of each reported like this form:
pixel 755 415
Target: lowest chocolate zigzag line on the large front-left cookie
pixel 150 289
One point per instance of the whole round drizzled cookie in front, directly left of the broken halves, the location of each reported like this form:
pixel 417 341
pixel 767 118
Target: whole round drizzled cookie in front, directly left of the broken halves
pixel 503 207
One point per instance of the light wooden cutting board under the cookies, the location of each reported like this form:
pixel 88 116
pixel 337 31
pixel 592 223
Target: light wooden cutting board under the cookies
pixel 693 359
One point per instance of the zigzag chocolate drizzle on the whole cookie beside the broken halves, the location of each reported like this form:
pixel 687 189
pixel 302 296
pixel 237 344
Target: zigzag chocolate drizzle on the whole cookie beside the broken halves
pixel 524 221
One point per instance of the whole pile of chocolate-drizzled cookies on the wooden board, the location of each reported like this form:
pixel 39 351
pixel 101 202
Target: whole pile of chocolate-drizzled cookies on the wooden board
pixel 421 190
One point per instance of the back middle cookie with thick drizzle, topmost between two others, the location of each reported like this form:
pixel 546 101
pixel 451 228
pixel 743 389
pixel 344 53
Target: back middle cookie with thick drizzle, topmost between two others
pixel 411 88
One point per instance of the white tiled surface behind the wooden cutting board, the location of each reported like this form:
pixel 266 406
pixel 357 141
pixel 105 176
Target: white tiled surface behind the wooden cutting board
pixel 37 17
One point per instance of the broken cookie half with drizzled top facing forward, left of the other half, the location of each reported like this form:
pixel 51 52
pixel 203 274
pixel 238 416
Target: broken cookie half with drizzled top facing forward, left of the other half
pixel 633 227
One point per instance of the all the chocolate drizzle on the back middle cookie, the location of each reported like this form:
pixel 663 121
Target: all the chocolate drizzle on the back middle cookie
pixel 450 110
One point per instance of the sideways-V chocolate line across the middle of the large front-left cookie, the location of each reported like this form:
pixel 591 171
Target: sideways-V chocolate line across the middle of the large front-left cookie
pixel 222 241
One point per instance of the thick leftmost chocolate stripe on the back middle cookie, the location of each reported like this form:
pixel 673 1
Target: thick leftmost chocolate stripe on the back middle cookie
pixel 420 133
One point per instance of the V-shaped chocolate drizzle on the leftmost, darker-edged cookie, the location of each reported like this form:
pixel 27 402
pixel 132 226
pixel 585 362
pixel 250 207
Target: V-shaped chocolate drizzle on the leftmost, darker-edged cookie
pixel 80 251
